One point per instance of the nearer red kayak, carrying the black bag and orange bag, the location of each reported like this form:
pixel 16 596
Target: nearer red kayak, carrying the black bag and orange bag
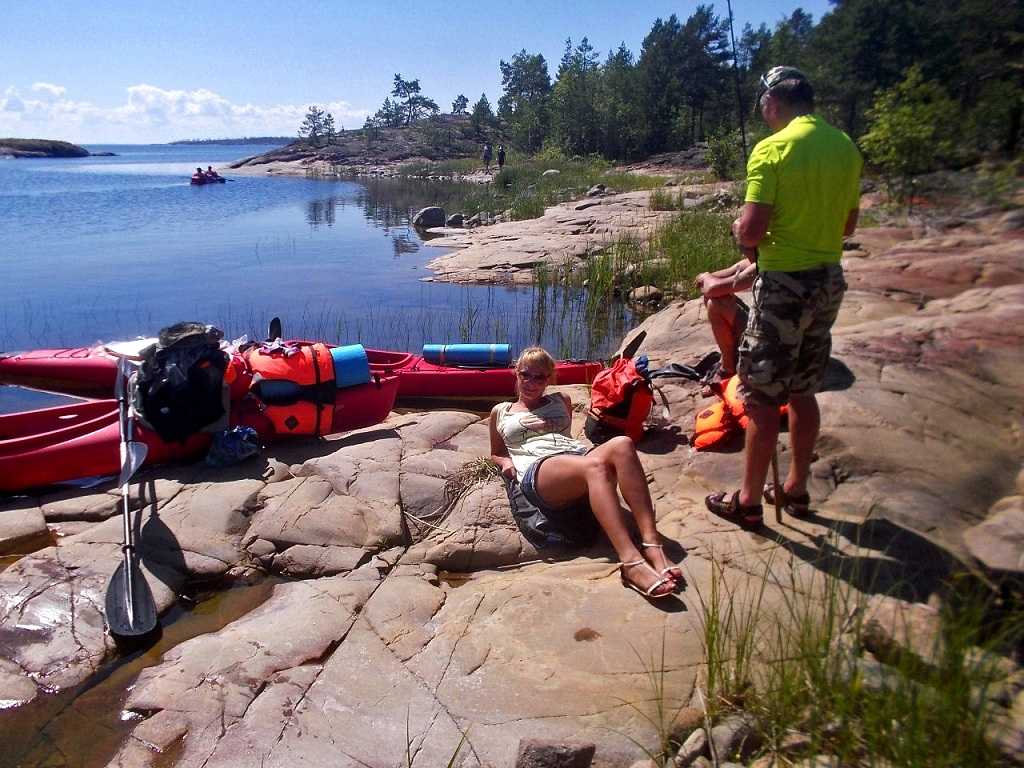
pixel 68 443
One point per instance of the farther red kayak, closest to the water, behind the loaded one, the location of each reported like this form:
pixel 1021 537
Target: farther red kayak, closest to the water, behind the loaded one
pixel 91 372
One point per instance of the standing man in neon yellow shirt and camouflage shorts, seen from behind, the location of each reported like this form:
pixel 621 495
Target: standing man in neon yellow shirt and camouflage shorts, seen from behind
pixel 803 189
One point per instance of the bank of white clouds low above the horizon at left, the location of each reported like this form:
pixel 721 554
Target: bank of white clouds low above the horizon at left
pixel 151 114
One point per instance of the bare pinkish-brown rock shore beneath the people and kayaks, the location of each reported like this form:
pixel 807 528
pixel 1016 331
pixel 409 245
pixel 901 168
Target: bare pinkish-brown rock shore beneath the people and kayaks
pixel 400 609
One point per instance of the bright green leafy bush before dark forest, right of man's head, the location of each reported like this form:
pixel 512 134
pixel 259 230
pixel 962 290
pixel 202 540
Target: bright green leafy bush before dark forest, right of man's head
pixel 913 130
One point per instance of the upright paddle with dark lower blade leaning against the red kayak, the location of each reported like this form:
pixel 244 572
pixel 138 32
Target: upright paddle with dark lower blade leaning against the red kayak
pixel 130 606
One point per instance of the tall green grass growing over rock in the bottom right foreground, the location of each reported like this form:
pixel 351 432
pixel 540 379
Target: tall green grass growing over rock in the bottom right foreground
pixel 795 663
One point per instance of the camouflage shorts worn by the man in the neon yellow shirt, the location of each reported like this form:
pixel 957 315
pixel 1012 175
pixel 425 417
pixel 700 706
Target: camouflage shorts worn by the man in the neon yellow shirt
pixel 788 342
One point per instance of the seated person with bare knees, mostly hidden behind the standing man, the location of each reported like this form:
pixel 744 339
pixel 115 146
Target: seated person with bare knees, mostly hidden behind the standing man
pixel 728 314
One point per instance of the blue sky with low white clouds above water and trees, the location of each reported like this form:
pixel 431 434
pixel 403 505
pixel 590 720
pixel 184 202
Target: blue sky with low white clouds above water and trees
pixel 156 71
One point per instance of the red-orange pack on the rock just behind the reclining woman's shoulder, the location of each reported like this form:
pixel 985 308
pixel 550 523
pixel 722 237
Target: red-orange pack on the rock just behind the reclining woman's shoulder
pixel 620 403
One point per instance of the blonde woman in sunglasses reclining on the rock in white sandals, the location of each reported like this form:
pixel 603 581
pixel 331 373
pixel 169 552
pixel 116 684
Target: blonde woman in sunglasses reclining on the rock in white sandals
pixel 530 441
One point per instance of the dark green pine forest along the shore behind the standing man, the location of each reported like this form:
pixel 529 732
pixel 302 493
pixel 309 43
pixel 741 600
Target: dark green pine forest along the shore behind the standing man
pixel 945 77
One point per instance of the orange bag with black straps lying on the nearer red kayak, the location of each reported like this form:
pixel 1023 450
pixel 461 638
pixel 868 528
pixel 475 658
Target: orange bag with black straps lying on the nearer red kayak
pixel 311 367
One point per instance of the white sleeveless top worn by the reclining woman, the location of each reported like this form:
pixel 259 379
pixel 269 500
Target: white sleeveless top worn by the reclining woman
pixel 532 436
